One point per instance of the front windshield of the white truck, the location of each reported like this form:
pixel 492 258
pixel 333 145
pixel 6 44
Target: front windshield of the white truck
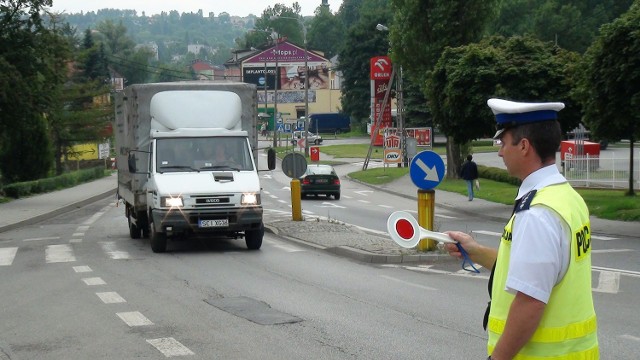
pixel 203 154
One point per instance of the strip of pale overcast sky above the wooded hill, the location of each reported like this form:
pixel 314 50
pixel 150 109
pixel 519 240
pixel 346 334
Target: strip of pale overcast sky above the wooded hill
pixel 150 7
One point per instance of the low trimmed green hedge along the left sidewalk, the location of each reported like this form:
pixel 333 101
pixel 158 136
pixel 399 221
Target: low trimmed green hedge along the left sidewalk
pixel 26 188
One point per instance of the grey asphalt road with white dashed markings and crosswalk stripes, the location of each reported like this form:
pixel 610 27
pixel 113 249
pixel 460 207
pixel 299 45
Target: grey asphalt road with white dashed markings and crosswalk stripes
pixel 77 287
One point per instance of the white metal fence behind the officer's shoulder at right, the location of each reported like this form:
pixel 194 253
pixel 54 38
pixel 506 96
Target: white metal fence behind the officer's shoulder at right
pixel 602 171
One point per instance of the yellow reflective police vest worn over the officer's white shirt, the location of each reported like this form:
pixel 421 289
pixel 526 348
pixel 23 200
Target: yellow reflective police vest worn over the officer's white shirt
pixel 568 328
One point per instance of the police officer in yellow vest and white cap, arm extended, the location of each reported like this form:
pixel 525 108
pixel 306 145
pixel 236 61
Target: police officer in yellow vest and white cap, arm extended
pixel 540 285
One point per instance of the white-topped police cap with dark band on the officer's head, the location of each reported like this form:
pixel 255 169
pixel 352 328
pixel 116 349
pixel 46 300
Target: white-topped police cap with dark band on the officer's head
pixel 511 114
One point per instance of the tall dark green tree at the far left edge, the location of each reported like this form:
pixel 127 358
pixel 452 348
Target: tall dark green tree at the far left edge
pixel 28 65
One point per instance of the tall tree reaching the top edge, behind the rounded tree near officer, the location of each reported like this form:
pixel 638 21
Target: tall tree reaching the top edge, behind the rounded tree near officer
pixel 420 32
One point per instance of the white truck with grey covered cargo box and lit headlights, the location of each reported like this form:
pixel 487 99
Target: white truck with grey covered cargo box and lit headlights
pixel 171 184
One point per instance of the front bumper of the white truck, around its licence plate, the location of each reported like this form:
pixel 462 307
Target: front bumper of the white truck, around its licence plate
pixel 181 222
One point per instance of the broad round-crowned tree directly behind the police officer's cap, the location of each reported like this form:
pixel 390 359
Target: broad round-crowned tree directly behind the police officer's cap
pixel 517 68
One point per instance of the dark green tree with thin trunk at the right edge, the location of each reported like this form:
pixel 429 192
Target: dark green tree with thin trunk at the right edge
pixel 609 88
